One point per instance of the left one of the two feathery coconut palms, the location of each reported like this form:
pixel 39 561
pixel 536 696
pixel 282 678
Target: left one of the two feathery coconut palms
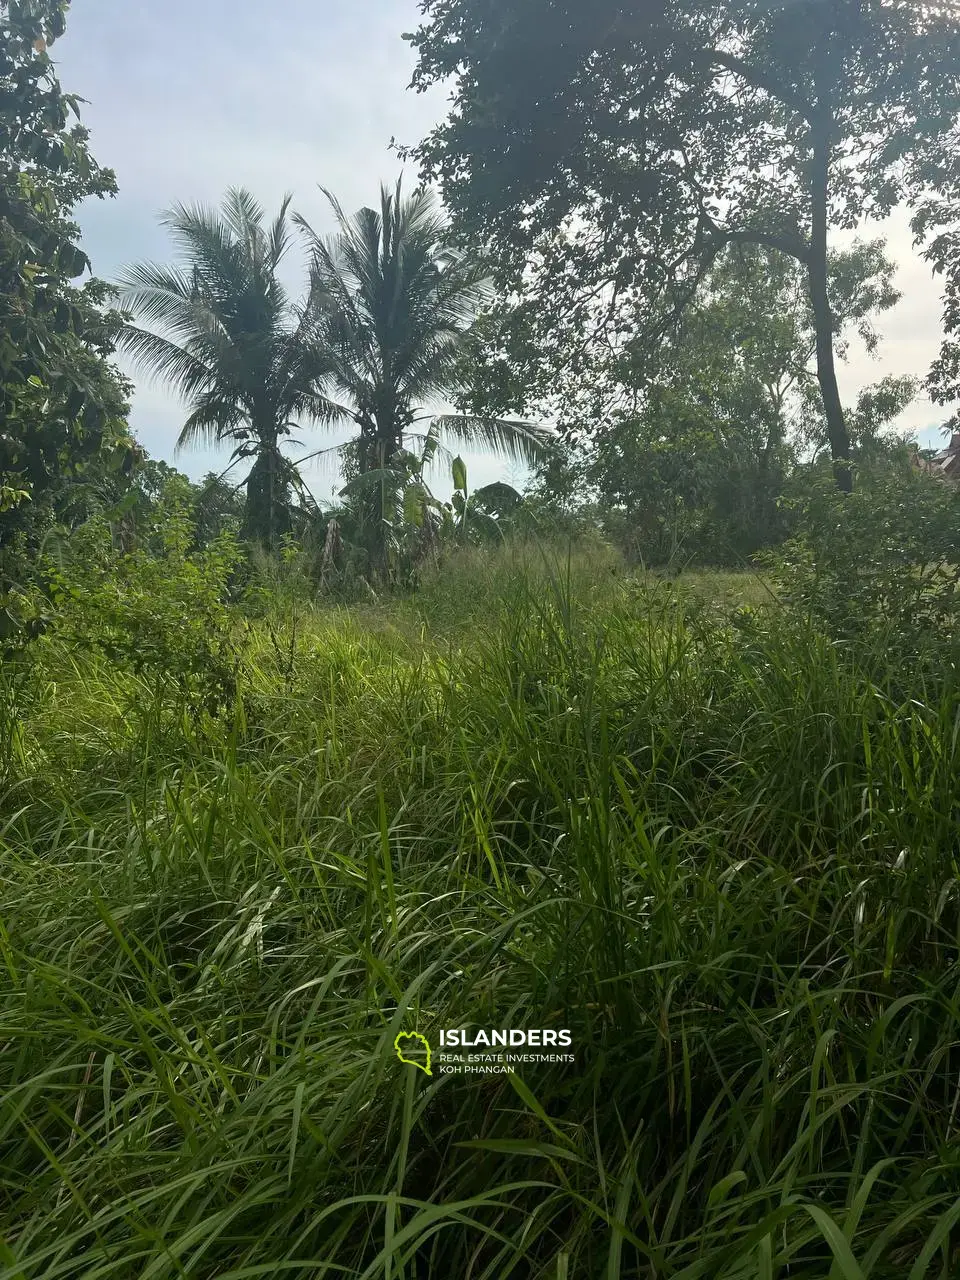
pixel 232 344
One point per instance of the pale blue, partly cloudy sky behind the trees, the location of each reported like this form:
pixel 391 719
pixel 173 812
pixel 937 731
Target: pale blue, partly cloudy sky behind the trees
pixel 189 98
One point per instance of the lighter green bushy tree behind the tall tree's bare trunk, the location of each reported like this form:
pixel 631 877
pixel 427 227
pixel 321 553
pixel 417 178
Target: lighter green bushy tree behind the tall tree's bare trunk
pixel 696 467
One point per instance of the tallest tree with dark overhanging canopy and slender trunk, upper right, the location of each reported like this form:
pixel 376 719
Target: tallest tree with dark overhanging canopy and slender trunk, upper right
pixel 611 153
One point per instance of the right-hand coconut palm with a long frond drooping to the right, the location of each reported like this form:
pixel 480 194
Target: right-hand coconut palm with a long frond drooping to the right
pixel 399 305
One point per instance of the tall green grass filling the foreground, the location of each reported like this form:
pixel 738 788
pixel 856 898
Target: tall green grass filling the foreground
pixel 720 849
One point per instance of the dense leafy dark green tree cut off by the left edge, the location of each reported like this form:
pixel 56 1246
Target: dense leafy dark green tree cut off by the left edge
pixel 63 406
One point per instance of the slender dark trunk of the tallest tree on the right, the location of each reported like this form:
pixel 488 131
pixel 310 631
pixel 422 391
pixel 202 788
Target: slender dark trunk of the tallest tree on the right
pixel 824 318
